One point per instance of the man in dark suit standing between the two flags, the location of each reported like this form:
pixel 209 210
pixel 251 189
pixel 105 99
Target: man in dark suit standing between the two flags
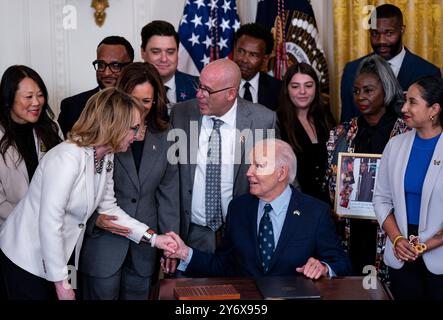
pixel 252 45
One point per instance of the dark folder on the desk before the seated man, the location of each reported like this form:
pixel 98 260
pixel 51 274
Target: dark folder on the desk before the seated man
pixel 287 287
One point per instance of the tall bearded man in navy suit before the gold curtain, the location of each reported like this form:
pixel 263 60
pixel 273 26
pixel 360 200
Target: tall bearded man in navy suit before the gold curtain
pixel 386 41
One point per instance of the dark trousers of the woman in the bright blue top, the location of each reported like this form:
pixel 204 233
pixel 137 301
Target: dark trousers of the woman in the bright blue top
pixel 414 280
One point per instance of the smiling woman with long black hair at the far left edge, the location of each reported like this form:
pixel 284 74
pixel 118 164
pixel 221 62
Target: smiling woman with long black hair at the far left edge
pixel 27 131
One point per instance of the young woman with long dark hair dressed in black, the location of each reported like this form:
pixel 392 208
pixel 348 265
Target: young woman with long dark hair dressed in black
pixel 305 123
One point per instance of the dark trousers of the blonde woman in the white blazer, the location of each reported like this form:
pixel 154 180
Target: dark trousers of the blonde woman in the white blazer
pixel 22 285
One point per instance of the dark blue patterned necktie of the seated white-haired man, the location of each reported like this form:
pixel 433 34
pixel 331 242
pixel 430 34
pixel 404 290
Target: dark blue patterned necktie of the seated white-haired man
pixel 266 238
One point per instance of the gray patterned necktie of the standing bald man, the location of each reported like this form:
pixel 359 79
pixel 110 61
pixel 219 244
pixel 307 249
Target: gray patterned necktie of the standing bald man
pixel 213 179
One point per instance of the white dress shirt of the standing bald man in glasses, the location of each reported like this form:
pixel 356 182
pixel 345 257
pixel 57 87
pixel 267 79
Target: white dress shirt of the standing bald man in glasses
pixel 228 134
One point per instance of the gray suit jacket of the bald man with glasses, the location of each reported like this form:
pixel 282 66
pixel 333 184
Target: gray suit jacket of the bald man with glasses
pixel 249 116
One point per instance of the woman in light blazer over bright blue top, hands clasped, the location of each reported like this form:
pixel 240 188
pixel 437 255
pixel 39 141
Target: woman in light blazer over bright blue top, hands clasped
pixel 408 197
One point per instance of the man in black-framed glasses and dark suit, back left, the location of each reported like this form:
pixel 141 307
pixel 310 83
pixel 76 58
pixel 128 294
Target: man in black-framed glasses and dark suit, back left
pixel 113 53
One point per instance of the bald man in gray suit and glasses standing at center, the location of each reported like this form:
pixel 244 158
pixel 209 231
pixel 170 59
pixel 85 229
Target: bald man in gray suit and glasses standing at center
pixel 213 133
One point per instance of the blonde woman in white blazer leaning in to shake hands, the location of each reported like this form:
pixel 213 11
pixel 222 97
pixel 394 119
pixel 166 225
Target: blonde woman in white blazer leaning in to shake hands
pixel 72 181
